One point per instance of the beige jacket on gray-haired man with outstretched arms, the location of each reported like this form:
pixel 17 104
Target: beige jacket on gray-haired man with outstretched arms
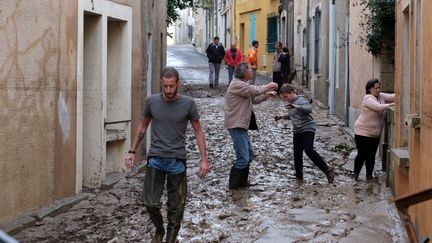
pixel 239 101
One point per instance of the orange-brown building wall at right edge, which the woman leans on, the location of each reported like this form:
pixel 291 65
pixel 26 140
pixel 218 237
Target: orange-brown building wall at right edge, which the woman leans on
pixel 413 87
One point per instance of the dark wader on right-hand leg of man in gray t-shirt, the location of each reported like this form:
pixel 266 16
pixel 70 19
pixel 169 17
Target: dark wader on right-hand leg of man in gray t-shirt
pixel 177 192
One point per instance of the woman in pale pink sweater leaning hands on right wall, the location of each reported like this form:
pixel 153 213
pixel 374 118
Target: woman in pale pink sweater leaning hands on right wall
pixel 368 126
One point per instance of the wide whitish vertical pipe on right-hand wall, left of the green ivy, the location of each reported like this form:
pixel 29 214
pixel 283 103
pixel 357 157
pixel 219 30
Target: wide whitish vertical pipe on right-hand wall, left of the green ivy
pixel 332 54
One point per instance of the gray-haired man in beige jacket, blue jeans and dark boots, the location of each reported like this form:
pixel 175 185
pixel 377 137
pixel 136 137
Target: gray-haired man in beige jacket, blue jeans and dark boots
pixel 239 118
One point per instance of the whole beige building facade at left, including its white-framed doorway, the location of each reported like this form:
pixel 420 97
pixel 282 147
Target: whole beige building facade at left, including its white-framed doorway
pixel 72 75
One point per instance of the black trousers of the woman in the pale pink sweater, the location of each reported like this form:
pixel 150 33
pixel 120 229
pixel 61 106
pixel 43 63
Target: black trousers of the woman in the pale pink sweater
pixel 366 150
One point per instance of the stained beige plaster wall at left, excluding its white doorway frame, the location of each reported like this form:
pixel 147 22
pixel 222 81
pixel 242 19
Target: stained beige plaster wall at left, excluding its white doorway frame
pixel 38 94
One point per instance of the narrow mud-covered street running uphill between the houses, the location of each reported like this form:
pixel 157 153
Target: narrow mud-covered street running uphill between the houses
pixel 277 209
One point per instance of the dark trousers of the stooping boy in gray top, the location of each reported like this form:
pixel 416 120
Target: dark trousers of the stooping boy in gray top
pixel 304 142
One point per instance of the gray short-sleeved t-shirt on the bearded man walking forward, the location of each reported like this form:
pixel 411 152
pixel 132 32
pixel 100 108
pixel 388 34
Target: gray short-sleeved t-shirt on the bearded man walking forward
pixel 169 124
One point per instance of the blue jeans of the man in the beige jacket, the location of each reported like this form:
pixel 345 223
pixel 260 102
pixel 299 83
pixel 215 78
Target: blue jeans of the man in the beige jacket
pixel 242 147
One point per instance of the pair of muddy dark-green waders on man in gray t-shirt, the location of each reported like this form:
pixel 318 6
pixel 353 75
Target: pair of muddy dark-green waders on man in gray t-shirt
pixel 176 191
